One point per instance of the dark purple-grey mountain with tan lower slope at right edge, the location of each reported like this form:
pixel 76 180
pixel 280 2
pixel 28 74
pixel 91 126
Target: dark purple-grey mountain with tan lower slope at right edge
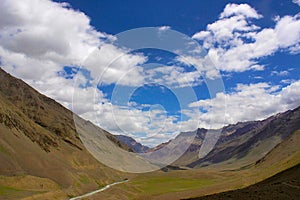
pixel 252 141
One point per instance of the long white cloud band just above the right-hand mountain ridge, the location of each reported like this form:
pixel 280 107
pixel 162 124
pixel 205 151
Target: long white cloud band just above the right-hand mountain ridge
pixel 249 102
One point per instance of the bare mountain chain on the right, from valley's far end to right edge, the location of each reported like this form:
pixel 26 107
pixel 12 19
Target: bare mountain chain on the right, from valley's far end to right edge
pixel 239 144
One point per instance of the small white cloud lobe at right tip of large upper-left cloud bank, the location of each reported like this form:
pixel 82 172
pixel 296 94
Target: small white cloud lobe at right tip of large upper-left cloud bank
pixel 110 64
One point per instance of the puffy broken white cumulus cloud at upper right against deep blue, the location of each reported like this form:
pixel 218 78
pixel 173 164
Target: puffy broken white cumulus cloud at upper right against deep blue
pixel 235 43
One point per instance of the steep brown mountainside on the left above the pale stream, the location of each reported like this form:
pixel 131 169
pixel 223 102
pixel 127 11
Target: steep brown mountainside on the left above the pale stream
pixel 40 144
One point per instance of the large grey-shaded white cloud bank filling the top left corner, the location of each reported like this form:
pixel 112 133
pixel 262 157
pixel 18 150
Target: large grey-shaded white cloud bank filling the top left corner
pixel 39 37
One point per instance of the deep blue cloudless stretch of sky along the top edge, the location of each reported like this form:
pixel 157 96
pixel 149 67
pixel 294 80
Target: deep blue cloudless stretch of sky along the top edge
pixel 187 17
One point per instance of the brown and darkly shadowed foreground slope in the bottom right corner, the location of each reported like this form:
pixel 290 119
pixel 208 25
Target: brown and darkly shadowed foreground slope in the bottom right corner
pixel 284 158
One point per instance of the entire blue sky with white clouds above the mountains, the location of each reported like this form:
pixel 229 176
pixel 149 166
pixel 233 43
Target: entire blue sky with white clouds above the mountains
pixel 202 64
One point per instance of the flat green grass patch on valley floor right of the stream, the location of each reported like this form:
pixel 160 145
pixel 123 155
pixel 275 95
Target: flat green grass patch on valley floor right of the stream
pixel 160 185
